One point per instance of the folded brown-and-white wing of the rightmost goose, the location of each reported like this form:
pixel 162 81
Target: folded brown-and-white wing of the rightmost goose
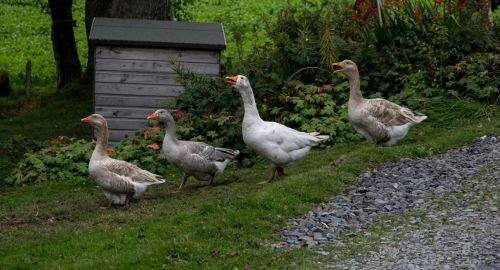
pixel 389 113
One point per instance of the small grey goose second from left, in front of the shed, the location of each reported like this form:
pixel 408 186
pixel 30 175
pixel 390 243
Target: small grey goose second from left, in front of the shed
pixel 196 159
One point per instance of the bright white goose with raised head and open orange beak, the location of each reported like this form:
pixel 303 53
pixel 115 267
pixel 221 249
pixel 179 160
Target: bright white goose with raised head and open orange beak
pixel 276 142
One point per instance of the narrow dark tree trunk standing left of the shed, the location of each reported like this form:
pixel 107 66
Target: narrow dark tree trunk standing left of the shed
pixel 63 42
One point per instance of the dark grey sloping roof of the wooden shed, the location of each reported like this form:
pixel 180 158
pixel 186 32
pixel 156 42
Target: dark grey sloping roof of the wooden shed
pixel 152 33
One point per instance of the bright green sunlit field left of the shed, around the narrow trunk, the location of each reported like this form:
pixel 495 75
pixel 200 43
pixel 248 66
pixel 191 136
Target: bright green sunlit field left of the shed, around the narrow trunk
pixel 25 35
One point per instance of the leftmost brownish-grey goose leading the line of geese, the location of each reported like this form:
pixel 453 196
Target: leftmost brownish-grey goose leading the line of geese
pixel 119 179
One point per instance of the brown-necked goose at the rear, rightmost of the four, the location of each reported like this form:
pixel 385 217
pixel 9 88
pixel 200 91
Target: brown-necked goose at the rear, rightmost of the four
pixel 378 120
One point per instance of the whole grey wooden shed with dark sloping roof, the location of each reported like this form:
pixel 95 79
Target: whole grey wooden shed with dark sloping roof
pixel 133 74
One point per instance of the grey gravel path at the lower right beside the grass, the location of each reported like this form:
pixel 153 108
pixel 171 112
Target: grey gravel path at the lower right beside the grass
pixel 456 194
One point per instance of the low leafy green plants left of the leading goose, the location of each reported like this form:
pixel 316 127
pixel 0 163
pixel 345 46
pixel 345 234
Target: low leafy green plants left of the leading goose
pixel 64 158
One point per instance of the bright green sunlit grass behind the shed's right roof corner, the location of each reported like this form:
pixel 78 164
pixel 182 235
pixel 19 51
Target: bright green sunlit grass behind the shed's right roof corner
pixel 246 23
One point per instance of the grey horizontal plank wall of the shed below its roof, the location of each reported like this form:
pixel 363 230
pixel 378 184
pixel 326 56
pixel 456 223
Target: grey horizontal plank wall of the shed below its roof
pixel 130 83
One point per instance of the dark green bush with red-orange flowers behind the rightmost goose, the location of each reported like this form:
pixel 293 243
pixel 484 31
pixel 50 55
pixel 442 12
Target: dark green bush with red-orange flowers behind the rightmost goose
pixel 417 47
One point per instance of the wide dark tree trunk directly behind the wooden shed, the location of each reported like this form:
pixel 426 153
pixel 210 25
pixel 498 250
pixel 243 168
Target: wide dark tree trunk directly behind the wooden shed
pixel 131 9
